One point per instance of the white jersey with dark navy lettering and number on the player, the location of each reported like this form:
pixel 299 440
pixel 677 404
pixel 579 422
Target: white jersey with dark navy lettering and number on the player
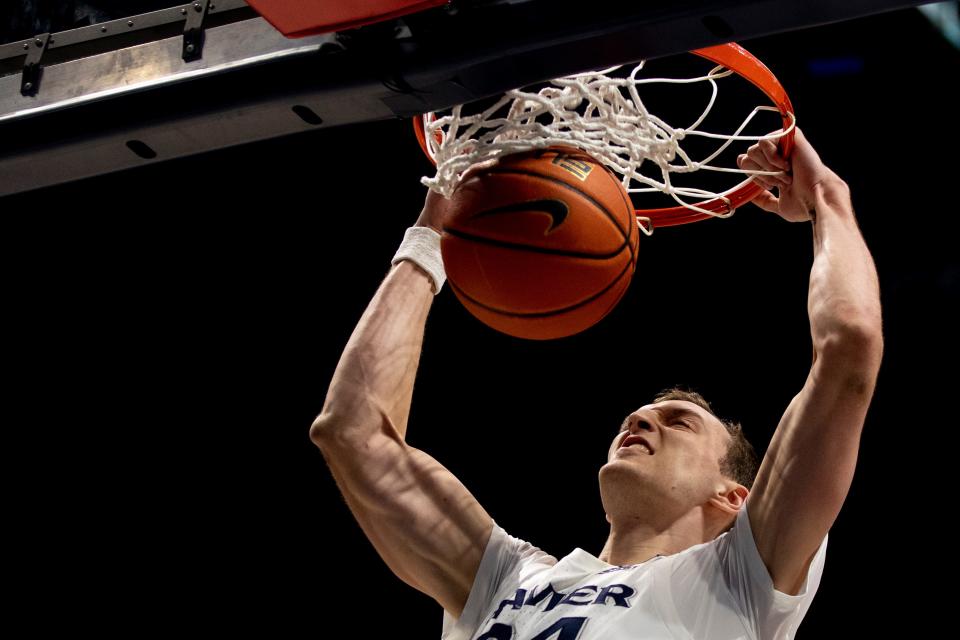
pixel 718 590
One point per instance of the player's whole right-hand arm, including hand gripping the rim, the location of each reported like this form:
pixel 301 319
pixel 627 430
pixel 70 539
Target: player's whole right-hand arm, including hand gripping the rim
pixel 809 466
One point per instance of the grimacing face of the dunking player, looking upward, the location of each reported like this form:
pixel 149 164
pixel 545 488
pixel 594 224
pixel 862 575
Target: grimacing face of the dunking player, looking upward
pixel 674 445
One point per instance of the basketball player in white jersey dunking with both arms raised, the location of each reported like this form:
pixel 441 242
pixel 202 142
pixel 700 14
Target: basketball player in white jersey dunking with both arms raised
pixel 697 547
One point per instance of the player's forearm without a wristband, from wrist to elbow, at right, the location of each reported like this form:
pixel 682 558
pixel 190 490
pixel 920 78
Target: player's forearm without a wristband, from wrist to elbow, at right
pixel 844 302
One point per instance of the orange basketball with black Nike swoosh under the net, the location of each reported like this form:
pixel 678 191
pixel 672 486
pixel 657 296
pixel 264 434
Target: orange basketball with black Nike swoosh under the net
pixel 543 245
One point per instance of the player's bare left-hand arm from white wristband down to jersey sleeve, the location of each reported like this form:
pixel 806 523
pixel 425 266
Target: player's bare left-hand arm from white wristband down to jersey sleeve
pixel 423 522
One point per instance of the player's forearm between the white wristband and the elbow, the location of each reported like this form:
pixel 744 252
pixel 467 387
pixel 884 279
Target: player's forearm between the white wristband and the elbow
pixel 373 383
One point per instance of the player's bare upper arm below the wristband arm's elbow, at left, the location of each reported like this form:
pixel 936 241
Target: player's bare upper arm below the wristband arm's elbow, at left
pixel 422 521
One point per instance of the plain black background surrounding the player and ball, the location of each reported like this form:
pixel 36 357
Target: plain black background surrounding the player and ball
pixel 172 332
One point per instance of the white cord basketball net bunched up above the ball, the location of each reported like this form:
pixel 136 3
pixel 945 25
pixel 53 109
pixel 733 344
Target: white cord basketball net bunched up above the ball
pixel 615 128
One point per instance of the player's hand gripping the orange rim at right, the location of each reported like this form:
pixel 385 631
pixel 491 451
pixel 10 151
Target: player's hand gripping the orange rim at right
pixel 798 179
